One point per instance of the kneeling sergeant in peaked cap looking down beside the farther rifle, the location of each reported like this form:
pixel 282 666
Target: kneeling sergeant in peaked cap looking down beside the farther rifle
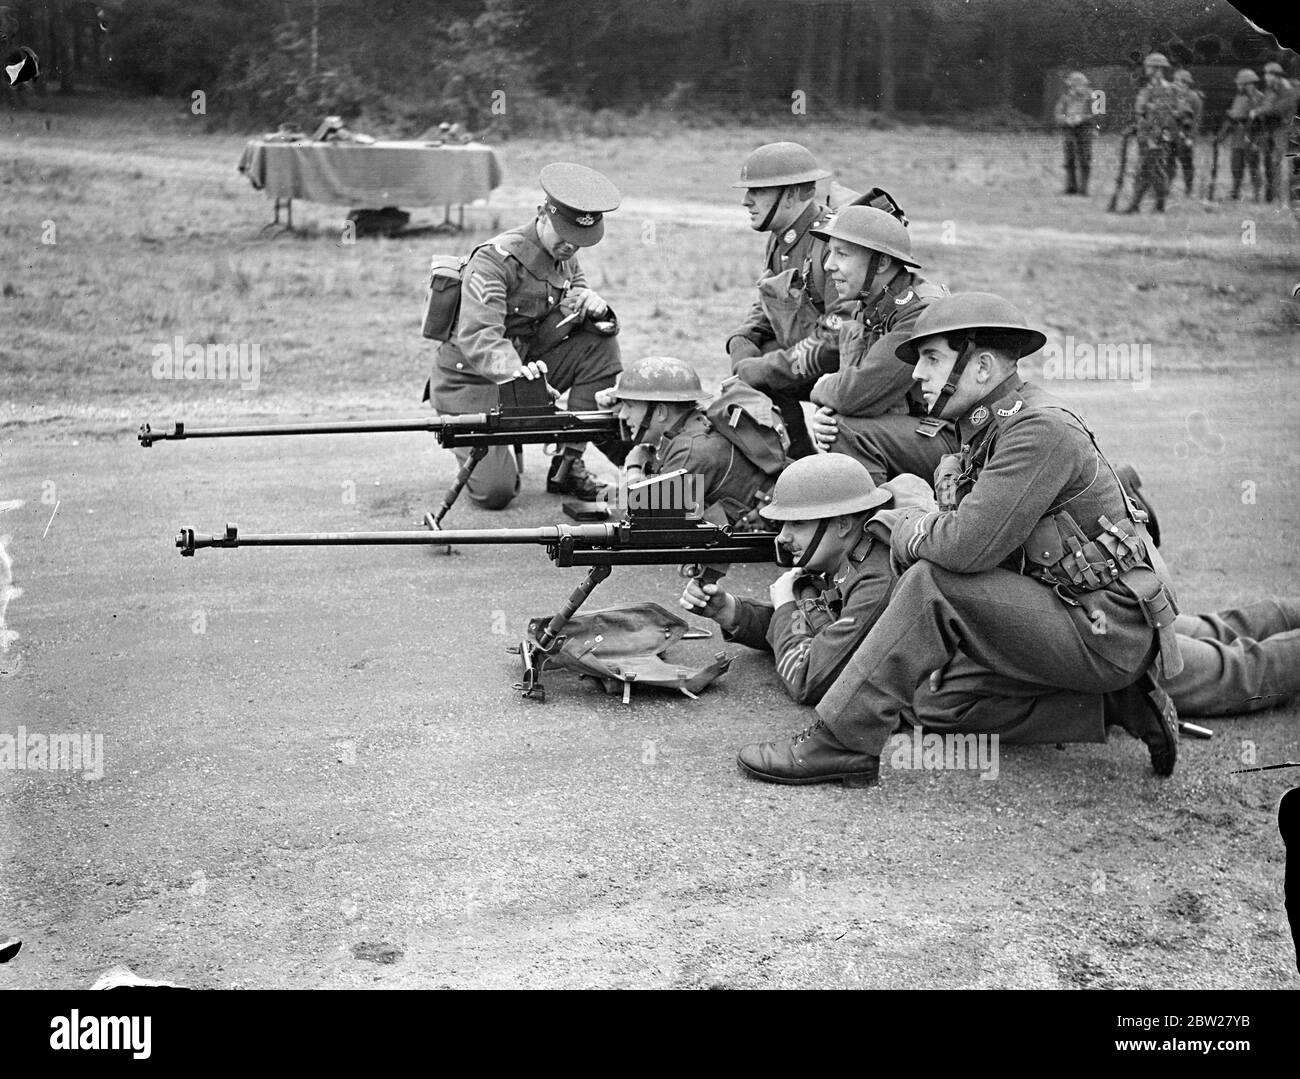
pixel 527 309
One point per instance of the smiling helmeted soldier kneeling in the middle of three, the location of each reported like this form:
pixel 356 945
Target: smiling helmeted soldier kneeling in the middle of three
pixel 869 409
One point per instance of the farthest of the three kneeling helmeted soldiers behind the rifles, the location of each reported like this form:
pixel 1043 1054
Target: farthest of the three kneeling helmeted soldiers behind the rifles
pixel 791 335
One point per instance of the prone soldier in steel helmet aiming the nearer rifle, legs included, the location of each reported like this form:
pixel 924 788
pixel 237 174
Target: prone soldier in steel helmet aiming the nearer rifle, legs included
pixel 838 526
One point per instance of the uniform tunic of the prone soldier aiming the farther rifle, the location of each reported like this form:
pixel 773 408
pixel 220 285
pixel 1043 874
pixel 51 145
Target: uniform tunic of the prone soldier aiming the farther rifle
pixel 729 479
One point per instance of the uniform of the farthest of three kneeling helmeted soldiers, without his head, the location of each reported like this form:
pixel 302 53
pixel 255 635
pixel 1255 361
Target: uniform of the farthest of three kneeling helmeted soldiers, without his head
pixel 796 322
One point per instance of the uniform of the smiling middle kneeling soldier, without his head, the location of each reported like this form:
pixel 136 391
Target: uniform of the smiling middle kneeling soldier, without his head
pixel 874 396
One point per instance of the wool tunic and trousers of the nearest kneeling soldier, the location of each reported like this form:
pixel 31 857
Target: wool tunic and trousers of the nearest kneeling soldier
pixel 967 590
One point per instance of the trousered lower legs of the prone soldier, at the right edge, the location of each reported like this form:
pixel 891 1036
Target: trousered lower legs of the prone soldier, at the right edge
pixel 1238 661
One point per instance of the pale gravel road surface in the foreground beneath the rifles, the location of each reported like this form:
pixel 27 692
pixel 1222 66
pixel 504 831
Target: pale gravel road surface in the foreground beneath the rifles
pixel 317 774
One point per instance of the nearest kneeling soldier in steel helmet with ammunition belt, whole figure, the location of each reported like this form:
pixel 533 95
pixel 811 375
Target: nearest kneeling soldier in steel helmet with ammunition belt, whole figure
pixel 1042 571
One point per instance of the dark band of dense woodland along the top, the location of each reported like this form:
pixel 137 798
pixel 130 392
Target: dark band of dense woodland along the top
pixel 414 62
